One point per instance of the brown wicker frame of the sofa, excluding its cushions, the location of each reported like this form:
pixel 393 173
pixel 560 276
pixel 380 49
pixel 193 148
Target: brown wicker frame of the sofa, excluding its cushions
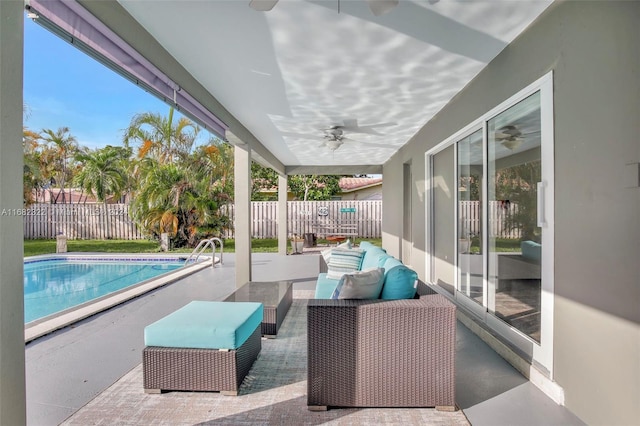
pixel 382 353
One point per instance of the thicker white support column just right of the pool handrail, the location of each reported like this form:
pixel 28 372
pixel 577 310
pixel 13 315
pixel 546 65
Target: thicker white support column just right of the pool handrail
pixel 242 200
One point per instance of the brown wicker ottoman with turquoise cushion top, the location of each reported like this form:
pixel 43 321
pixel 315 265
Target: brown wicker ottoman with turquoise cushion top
pixel 203 346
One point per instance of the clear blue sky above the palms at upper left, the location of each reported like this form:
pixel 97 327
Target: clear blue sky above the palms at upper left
pixel 65 87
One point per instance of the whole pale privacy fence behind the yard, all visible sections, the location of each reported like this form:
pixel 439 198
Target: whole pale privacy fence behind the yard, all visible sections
pixel 93 221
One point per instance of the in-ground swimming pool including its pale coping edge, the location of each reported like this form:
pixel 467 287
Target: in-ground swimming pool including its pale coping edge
pixel 58 285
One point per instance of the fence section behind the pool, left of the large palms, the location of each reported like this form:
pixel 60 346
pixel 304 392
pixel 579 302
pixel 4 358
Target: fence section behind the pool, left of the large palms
pixel 79 221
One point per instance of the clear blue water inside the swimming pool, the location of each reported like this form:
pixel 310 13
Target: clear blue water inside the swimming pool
pixel 54 285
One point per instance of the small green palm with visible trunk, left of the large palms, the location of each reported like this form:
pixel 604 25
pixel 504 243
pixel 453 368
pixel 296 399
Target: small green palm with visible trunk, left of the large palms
pixel 103 174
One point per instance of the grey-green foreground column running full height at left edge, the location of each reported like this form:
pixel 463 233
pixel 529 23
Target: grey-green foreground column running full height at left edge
pixel 12 371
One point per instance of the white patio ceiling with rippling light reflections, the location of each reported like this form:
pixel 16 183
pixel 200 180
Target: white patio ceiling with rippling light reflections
pixel 288 74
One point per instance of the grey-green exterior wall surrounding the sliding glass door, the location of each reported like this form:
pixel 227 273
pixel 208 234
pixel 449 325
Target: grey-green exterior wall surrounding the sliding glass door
pixel 592 48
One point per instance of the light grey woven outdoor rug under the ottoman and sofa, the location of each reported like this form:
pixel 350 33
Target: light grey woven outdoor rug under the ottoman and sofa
pixel 273 393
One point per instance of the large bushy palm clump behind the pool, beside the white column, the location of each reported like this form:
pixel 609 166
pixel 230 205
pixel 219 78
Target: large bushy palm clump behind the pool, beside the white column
pixel 180 188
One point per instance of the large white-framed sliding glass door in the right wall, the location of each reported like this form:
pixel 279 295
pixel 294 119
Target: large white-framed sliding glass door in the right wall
pixel 490 219
